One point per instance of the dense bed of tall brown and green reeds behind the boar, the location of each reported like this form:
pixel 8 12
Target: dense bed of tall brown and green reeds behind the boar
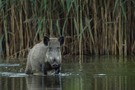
pixel 90 27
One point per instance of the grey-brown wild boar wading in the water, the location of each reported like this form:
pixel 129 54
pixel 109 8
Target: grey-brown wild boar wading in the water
pixel 45 56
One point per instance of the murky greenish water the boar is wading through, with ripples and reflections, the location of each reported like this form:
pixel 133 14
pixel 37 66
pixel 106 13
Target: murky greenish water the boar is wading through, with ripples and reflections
pixel 93 73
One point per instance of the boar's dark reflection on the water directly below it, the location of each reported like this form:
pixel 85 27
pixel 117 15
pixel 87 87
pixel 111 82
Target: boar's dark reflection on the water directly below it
pixel 43 83
